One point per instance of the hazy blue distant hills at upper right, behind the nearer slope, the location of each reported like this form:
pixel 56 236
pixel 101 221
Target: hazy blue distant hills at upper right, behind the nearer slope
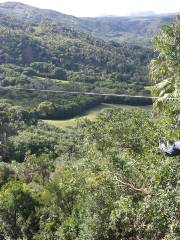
pixel 133 29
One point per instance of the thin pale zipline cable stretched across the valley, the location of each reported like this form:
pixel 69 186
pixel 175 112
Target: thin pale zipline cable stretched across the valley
pixel 82 93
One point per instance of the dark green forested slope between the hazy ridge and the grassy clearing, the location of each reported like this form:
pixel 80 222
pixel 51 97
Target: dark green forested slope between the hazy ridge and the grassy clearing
pixel 69 56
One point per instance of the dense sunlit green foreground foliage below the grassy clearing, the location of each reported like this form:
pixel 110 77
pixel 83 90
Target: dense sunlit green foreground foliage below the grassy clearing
pixel 102 180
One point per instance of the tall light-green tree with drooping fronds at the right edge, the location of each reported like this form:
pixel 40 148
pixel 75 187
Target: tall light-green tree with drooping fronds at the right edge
pixel 165 69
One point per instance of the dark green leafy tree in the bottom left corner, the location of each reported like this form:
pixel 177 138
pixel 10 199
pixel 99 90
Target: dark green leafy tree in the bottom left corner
pixel 17 212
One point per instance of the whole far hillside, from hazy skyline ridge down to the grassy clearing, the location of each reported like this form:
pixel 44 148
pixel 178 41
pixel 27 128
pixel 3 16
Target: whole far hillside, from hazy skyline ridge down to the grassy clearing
pixel 44 49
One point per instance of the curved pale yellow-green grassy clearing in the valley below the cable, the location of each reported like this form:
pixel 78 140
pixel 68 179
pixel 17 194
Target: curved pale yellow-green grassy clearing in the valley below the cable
pixel 90 115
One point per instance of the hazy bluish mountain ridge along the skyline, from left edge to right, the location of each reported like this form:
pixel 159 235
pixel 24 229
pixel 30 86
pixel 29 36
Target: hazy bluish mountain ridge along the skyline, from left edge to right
pixel 120 29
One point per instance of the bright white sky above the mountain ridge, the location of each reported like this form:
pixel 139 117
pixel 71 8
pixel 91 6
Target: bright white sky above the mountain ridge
pixel 92 8
